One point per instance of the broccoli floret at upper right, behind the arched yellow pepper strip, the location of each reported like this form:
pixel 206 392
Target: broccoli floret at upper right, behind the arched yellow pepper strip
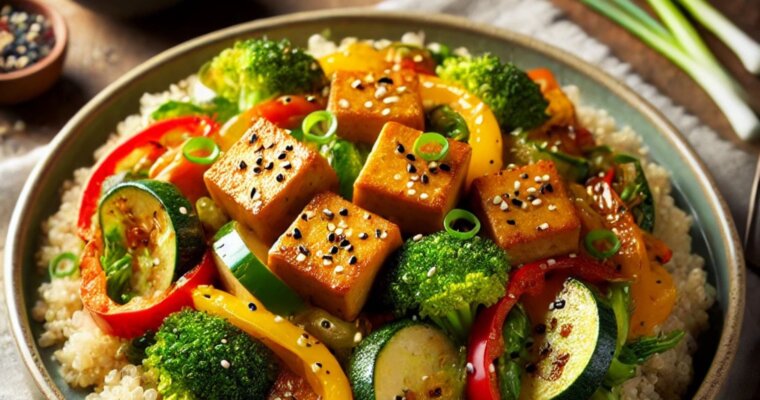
pixel 514 98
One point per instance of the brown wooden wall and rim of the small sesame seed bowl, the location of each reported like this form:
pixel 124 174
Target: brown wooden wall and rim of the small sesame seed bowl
pixel 26 83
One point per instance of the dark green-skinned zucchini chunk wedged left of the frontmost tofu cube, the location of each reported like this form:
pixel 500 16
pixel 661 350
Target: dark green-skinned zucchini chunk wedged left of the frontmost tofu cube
pixel 238 255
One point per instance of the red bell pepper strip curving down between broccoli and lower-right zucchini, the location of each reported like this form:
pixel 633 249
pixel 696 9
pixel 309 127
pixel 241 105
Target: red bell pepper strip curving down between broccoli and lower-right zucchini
pixel 486 340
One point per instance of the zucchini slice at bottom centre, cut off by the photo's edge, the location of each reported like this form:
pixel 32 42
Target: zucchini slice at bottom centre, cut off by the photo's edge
pixel 407 359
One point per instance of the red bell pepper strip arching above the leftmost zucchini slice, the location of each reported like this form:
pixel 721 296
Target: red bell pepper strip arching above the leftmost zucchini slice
pixel 153 140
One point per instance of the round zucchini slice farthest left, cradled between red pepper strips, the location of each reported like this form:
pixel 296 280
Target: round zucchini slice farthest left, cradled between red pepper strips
pixel 152 236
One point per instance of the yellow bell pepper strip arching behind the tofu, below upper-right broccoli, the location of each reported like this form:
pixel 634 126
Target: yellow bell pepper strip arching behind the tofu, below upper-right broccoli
pixel 485 135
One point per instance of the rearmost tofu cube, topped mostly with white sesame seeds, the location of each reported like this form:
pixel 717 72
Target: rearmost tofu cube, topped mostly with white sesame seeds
pixel 364 101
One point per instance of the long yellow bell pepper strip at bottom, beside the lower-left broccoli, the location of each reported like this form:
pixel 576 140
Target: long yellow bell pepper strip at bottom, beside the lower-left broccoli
pixel 301 352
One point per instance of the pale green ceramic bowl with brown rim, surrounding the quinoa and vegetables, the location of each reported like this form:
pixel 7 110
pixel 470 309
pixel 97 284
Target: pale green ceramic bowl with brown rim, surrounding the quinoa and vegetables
pixel 713 234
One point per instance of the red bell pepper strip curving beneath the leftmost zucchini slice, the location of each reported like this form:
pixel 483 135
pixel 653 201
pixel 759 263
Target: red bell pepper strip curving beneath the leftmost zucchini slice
pixel 140 314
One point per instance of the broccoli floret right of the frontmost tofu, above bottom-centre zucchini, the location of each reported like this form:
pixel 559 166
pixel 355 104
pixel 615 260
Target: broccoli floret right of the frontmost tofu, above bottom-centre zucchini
pixel 446 279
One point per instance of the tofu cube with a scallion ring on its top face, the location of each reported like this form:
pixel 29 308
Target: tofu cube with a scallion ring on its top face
pixel 413 193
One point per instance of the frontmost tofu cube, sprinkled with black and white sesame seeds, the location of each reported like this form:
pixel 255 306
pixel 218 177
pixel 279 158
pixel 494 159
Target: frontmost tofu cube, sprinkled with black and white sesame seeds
pixel 332 253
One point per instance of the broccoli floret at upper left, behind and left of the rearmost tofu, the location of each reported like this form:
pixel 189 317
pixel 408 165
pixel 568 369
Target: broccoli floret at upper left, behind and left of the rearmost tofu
pixel 255 70
